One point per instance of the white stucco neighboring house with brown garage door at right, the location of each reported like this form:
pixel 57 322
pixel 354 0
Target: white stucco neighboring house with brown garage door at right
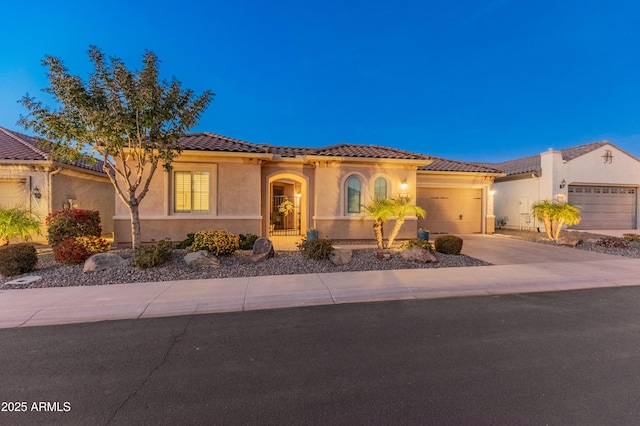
pixel 599 177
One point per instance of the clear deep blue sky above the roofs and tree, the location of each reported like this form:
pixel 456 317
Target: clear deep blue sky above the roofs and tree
pixel 465 80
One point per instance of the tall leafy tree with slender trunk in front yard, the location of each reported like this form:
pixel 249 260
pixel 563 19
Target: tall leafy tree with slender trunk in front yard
pixel 129 120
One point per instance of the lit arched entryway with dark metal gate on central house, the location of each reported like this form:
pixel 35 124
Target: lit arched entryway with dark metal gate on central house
pixel 287 204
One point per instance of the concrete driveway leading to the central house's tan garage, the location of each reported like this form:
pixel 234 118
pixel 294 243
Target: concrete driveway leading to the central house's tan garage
pixel 501 250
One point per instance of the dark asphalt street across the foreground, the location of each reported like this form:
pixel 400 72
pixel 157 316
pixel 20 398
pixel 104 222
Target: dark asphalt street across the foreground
pixel 562 358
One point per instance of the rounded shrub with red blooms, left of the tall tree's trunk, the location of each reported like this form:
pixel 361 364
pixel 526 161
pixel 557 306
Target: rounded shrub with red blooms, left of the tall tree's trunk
pixel 69 223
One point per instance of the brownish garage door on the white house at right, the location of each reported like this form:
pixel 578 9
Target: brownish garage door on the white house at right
pixel 604 207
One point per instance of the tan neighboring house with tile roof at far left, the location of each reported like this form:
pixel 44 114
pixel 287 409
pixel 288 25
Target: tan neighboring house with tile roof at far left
pixel 29 178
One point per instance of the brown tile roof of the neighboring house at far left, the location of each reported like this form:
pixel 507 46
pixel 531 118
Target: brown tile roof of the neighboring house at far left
pixel 19 147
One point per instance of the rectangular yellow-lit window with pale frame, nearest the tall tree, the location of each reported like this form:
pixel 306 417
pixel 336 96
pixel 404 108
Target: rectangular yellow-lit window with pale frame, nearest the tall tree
pixel 191 192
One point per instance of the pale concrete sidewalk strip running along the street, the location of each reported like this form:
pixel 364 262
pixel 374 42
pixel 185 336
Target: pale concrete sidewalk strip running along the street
pixel 32 307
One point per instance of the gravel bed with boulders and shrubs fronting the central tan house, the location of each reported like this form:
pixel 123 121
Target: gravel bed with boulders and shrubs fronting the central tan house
pixel 238 265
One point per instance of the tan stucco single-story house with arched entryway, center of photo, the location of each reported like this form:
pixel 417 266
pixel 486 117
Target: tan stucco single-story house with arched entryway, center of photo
pixel 223 183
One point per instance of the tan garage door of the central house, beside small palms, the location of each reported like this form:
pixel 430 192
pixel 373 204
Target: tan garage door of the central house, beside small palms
pixel 451 210
